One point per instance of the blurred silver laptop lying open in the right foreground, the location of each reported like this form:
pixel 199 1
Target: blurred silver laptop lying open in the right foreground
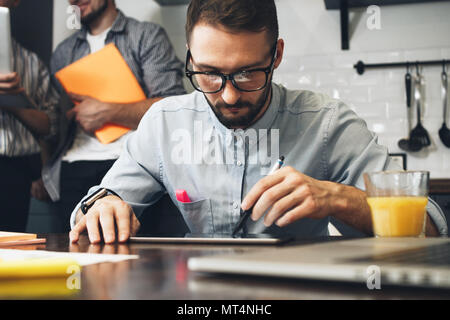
pixel 421 262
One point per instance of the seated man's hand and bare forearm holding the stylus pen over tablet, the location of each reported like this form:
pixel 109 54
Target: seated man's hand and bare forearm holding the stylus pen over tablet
pixel 292 195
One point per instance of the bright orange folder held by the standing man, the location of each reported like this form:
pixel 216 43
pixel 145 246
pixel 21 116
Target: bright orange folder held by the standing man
pixel 105 76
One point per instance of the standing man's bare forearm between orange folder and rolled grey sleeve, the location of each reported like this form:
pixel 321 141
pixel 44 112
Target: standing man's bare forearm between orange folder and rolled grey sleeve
pixel 129 115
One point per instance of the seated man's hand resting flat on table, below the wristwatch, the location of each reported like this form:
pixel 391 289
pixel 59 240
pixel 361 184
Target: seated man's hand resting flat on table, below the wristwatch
pixel 110 217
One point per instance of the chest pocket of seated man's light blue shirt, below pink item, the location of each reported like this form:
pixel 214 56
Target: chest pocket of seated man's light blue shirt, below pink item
pixel 197 215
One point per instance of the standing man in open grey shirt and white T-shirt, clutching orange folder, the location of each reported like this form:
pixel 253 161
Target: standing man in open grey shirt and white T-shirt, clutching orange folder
pixel 82 160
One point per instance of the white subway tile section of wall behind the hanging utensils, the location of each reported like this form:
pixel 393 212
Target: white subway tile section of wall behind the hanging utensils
pixel 378 96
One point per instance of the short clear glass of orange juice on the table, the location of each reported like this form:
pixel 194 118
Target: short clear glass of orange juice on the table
pixel 398 201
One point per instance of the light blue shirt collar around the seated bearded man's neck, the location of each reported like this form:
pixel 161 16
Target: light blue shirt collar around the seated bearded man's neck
pixel 265 122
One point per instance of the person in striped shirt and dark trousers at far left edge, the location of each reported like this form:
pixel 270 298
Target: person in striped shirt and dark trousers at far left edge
pixel 23 131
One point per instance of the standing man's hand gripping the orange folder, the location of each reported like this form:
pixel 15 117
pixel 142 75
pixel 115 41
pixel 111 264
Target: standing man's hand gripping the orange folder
pixel 90 113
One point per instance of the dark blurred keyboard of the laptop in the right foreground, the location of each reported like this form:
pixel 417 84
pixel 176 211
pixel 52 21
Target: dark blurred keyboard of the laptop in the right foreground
pixel 436 255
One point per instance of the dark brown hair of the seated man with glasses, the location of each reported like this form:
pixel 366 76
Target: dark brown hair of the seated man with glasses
pixel 234 15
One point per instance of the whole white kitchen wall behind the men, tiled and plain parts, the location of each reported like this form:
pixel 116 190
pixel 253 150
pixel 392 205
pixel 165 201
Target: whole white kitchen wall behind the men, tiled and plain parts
pixel 314 61
